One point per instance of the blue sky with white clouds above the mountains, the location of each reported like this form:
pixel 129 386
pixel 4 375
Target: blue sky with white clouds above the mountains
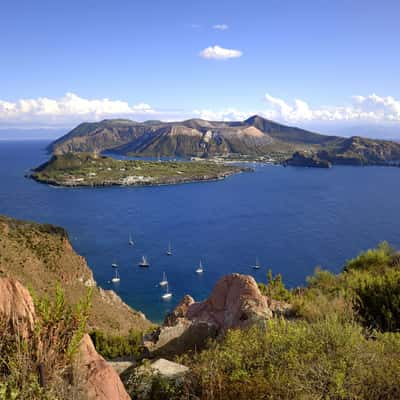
pixel 326 65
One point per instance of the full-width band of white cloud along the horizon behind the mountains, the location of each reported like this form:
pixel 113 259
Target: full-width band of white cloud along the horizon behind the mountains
pixel 363 114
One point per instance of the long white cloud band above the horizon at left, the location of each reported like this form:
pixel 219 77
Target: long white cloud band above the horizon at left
pixel 67 109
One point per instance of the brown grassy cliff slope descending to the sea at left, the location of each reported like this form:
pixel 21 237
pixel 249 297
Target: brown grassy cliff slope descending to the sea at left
pixel 39 255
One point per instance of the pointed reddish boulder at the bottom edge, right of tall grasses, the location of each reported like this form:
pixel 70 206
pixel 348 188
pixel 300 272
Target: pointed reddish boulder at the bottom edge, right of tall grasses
pixel 97 379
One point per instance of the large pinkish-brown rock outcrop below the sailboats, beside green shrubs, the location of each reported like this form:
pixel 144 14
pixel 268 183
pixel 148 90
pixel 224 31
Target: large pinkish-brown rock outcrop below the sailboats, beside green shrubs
pixel 235 302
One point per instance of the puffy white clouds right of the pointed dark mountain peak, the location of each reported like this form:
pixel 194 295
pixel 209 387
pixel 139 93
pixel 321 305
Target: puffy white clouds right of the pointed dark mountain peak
pixel 371 108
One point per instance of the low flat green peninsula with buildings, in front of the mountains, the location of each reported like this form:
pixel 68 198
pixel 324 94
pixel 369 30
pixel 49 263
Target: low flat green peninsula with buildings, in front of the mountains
pixel 92 169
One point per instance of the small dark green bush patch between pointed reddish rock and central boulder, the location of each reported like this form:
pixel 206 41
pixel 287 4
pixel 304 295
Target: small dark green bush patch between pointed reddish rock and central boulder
pixel 113 346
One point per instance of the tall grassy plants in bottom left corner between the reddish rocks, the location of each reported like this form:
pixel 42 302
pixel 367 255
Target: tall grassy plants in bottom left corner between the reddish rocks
pixel 50 347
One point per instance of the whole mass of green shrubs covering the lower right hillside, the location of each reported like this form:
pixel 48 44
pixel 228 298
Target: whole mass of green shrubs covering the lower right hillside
pixel 342 340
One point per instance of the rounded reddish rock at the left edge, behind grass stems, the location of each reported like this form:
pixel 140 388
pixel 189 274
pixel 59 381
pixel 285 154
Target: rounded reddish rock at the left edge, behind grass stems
pixel 16 306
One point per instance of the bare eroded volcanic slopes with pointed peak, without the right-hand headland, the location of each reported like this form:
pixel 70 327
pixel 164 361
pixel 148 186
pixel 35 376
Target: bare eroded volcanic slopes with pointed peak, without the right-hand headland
pixel 194 137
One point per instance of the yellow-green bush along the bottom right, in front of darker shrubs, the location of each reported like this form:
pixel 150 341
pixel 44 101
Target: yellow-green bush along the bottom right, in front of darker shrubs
pixel 297 360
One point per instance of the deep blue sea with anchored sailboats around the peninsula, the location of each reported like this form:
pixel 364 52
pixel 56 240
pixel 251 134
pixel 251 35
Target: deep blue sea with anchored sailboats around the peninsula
pixel 292 219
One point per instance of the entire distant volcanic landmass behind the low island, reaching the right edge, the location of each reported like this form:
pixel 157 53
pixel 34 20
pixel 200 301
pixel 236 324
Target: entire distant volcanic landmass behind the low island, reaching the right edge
pixel 196 137
